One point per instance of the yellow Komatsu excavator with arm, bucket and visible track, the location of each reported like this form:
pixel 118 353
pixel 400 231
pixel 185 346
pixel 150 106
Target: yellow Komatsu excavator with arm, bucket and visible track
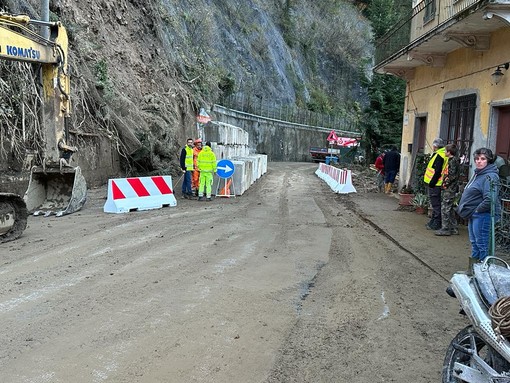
pixel 55 187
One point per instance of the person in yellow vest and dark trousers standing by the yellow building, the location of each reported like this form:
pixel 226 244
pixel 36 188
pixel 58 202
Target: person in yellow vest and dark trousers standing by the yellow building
pixel 434 179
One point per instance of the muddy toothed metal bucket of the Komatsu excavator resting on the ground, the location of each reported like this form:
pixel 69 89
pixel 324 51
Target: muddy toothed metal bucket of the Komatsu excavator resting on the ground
pixel 55 191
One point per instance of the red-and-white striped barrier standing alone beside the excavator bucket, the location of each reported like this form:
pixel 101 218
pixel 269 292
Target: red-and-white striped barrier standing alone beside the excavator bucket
pixel 139 193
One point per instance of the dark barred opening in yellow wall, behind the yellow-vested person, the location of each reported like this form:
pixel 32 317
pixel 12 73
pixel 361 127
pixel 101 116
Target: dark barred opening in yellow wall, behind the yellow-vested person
pixel 458 120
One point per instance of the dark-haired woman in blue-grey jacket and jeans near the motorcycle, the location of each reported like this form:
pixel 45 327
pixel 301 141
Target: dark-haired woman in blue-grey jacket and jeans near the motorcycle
pixel 475 203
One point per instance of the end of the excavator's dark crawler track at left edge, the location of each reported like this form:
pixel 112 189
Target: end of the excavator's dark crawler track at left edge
pixel 13 216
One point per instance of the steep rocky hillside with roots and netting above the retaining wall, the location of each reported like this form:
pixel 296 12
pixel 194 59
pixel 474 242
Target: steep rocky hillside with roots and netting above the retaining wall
pixel 141 69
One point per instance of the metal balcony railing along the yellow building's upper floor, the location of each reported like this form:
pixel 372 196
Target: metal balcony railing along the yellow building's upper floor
pixel 424 17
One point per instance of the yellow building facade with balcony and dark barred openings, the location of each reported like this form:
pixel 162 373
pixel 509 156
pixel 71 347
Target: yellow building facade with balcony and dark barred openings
pixel 458 88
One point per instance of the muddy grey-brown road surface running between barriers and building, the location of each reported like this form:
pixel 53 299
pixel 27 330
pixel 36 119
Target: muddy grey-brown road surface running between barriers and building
pixel 287 283
